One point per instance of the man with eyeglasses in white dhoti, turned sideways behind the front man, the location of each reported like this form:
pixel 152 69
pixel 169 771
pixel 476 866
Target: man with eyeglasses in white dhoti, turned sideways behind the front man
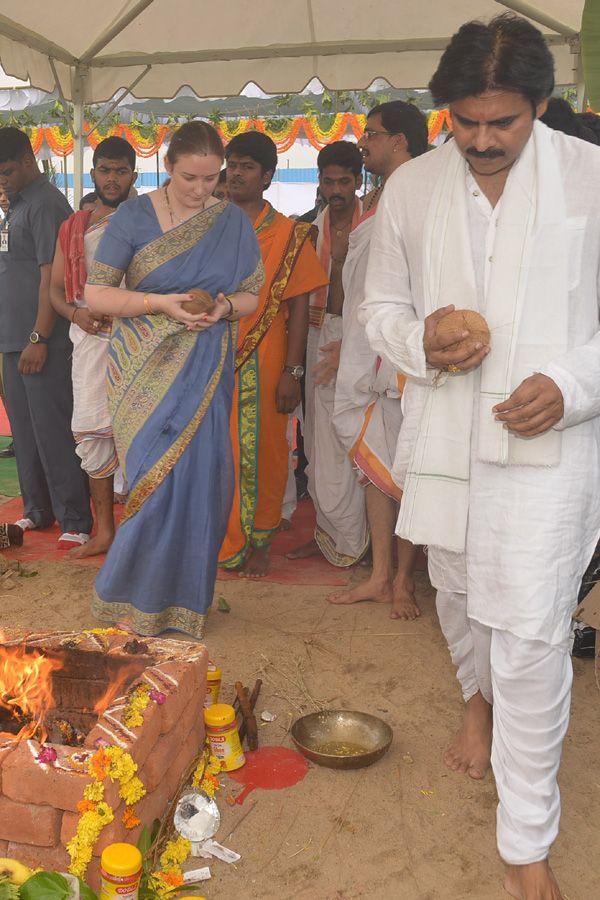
pixel 367 411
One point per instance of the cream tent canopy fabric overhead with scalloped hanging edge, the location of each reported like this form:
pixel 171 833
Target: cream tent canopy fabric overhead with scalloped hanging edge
pixel 217 50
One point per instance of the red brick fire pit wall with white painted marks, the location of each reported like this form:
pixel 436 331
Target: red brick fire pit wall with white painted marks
pixel 38 801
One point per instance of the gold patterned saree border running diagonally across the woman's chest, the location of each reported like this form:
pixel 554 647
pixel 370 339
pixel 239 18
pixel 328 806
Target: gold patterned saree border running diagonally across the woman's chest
pixel 172 243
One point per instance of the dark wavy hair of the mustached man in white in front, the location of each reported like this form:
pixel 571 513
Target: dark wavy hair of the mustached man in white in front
pixel 509 53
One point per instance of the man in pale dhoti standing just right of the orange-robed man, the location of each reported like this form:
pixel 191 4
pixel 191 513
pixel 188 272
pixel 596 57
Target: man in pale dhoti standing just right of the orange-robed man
pixel 340 534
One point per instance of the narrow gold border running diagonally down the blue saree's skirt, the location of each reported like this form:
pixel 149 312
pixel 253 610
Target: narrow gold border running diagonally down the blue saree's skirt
pixel 149 483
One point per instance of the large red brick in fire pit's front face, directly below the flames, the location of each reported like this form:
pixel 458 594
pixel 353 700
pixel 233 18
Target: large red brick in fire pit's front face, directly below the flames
pixel 57 784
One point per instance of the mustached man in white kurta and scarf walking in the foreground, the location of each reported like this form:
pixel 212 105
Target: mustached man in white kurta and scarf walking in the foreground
pixel 500 448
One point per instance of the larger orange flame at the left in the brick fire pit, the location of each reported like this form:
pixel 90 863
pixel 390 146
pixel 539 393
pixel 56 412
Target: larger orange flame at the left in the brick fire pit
pixel 26 688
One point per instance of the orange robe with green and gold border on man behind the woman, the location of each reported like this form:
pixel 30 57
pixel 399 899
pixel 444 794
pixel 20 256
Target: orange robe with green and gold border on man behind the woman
pixel 258 430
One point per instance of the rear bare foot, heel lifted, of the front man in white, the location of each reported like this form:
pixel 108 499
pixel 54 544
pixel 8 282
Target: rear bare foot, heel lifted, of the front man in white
pixel 471 749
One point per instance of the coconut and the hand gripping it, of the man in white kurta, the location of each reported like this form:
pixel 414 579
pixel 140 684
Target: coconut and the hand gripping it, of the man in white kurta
pixel 455 340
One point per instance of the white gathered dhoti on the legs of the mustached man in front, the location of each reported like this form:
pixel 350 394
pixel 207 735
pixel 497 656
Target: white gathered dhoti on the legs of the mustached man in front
pixel 529 683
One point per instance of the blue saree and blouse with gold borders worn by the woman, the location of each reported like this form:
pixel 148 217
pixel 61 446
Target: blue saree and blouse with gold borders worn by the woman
pixel 170 395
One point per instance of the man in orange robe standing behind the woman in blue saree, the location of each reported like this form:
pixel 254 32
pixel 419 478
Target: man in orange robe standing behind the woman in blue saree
pixel 270 355
